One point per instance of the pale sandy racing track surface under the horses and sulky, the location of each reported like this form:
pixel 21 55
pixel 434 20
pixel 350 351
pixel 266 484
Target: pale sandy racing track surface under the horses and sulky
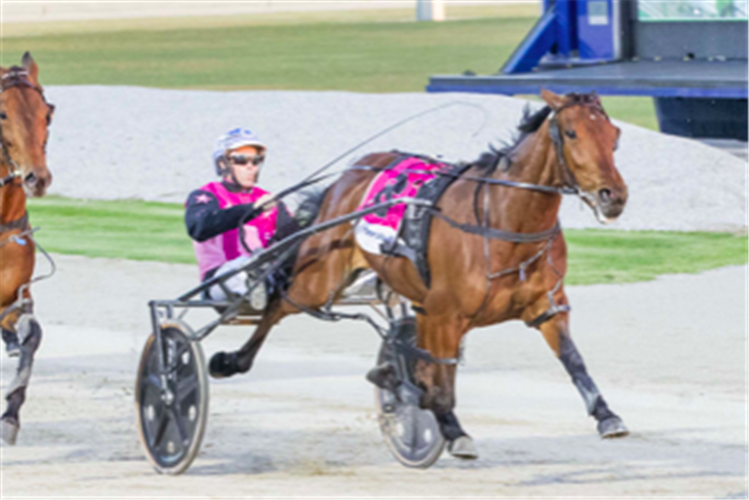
pixel 668 355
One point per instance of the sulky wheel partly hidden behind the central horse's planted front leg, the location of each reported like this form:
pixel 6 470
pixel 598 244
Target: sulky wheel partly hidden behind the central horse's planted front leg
pixel 412 433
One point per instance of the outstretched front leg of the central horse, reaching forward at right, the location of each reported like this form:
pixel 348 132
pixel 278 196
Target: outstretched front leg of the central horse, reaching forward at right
pixel 556 333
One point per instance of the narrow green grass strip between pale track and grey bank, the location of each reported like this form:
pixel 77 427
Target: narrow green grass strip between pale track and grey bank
pixel 140 230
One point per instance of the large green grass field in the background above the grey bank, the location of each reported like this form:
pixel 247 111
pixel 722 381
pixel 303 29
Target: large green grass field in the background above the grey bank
pixel 370 51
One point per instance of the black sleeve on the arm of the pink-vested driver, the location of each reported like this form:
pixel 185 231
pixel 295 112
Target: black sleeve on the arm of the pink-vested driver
pixel 204 218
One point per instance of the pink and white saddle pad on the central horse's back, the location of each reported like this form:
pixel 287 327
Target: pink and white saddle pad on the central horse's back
pixel 402 179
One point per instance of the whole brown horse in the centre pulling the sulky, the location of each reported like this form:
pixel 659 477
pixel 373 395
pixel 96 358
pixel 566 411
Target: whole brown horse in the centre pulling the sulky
pixel 495 253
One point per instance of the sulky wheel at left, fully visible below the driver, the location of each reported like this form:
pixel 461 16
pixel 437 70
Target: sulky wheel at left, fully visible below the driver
pixel 172 405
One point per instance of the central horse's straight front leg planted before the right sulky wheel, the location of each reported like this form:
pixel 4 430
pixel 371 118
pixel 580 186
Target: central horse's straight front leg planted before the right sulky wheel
pixel 442 339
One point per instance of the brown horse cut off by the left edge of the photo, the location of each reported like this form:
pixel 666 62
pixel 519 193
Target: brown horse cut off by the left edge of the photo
pixel 24 118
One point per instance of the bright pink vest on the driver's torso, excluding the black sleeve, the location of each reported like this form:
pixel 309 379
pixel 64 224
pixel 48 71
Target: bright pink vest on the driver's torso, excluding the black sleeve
pixel 216 251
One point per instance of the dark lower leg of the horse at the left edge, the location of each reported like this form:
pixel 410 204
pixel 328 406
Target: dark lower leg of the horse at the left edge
pixel 30 336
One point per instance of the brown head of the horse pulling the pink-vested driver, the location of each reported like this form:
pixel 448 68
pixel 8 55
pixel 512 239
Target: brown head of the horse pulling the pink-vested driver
pixel 585 140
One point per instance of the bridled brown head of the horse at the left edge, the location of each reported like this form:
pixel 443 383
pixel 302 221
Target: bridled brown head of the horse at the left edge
pixel 24 118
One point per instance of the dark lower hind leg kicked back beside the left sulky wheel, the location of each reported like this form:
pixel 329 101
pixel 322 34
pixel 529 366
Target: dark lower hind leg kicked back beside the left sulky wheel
pixel 225 364
